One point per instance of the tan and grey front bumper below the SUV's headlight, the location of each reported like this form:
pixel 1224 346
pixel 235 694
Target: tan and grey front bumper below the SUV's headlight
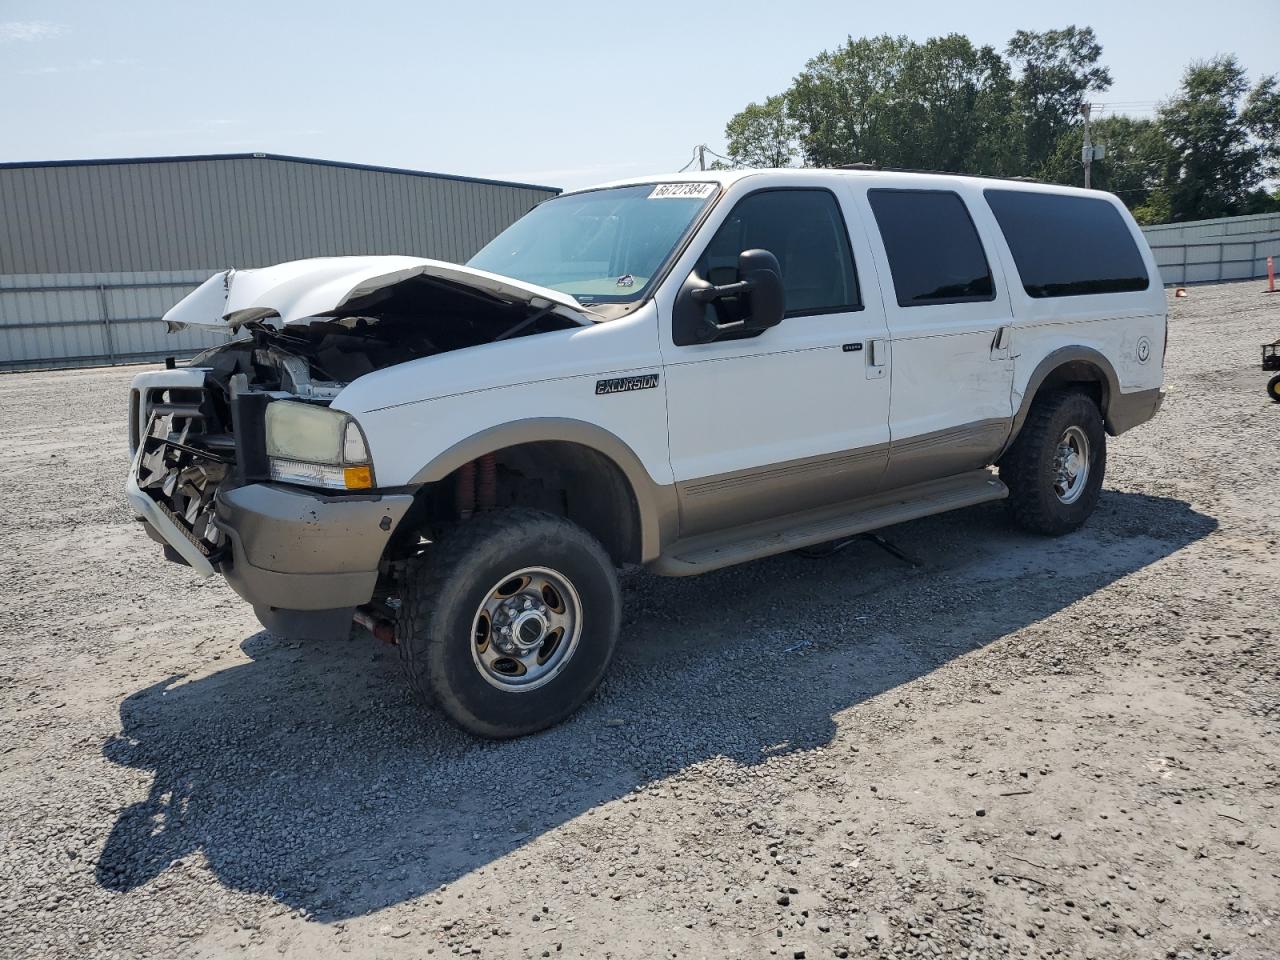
pixel 299 551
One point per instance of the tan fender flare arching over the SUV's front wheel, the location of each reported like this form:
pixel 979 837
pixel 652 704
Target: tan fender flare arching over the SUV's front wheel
pixel 656 504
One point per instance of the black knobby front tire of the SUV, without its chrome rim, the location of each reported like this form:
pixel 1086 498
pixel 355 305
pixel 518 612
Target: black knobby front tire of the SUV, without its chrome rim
pixel 444 592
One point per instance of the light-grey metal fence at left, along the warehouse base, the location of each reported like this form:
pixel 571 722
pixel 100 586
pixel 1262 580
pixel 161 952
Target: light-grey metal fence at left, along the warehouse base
pixel 60 321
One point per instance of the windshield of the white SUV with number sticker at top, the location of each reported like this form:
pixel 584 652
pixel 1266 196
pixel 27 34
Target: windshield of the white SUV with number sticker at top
pixel 602 246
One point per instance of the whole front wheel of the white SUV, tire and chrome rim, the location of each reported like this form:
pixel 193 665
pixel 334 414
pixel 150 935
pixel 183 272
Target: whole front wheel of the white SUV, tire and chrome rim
pixel 509 621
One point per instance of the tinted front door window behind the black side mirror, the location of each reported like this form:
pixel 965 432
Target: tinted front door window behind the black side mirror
pixel 806 231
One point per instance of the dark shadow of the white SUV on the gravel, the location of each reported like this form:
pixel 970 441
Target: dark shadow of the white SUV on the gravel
pixel 310 775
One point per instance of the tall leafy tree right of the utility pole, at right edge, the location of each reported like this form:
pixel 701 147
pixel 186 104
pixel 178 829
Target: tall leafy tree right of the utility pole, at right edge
pixel 1220 156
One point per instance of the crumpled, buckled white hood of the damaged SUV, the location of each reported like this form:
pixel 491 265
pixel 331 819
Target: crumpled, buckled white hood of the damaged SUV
pixel 323 286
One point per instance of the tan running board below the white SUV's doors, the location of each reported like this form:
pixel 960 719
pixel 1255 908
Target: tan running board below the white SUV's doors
pixel 700 555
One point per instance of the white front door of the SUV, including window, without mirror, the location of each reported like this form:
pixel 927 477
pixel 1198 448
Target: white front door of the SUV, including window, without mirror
pixel 796 417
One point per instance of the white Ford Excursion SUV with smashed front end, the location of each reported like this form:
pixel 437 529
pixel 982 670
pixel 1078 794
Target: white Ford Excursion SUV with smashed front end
pixel 678 372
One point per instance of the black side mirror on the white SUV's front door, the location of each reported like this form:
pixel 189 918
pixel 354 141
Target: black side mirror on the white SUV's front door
pixel 748 308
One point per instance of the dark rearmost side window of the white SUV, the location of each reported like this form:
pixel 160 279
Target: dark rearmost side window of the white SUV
pixel 1068 246
